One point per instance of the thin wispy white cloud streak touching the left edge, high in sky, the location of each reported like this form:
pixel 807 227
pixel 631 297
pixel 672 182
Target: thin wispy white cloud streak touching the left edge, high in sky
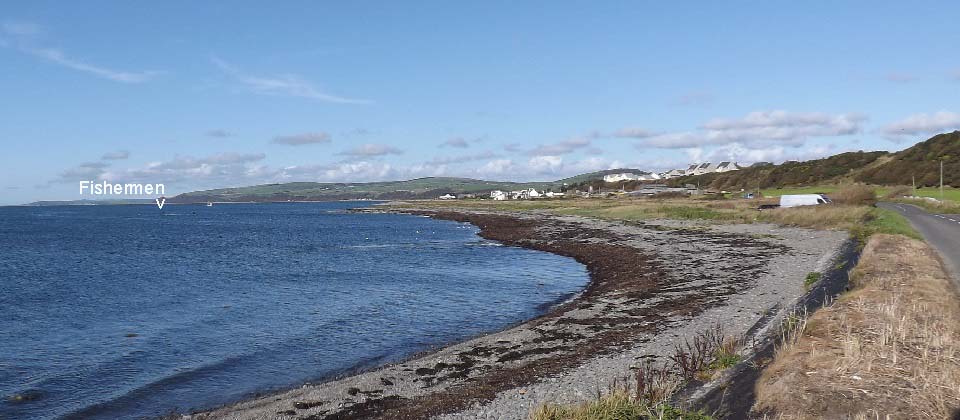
pixel 23 37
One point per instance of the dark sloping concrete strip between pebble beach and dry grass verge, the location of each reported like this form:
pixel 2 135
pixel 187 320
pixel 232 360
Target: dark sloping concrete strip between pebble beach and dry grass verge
pixel 733 394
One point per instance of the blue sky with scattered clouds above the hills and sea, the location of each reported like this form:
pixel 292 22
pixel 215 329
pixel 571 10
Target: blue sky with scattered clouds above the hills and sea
pixel 199 95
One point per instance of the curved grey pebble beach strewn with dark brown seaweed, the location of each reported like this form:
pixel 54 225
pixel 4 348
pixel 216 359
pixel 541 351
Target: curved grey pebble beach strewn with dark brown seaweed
pixel 646 291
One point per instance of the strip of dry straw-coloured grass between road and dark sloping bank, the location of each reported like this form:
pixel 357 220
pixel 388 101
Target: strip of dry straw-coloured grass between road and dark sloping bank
pixel 889 348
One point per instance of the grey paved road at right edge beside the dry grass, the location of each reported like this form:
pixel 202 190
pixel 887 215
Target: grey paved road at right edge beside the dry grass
pixel 940 230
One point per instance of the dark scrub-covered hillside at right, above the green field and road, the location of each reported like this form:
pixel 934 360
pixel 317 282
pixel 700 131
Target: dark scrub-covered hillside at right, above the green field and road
pixel 879 168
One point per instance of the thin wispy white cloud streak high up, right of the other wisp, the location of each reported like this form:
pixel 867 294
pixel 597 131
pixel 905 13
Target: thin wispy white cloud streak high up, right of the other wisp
pixel 282 85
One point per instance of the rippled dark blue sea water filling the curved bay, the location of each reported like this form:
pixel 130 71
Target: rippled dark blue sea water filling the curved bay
pixel 130 311
